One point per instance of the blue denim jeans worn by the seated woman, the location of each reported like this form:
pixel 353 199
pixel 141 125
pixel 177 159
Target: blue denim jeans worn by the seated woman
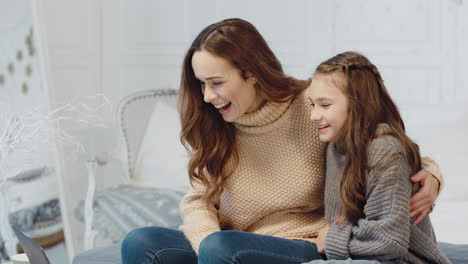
pixel 157 245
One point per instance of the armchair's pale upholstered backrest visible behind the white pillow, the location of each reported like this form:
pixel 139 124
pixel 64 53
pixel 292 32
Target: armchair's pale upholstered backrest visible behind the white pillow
pixel 134 113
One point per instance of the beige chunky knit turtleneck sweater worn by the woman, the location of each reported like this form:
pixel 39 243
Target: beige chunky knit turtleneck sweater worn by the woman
pixel 277 187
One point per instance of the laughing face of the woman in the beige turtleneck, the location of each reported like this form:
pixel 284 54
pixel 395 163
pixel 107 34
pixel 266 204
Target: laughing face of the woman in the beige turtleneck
pixel 223 86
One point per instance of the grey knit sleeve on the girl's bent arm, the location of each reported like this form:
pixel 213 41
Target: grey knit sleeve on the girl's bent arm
pixel 384 231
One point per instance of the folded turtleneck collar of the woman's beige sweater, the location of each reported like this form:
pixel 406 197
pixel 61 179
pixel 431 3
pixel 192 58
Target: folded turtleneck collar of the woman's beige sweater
pixel 266 115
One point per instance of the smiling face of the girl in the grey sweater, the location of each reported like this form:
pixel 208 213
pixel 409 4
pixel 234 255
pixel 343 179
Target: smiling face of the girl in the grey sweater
pixel 329 105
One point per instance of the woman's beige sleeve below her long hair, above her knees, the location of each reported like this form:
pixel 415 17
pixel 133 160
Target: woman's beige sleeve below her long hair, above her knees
pixel 200 218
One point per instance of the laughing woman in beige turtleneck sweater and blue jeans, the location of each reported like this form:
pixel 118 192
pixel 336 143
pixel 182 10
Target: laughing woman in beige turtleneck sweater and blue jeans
pixel 247 129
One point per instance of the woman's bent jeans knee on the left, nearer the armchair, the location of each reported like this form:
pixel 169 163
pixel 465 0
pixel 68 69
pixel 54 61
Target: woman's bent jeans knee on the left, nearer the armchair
pixel 157 245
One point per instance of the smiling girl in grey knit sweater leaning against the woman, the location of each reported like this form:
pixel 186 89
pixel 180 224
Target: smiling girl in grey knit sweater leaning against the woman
pixel 369 161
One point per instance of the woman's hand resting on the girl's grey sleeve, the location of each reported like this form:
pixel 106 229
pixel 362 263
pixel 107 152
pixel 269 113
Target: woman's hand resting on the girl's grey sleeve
pixel 422 201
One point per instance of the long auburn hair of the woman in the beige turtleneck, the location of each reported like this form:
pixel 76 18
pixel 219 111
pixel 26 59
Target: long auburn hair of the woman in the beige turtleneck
pixel 209 140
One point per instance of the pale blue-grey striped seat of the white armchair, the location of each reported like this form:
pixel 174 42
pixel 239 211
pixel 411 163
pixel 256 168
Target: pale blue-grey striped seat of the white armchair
pixel 118 210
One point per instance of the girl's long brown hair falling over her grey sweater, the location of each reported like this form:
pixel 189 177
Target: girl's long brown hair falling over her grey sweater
pixel 369 104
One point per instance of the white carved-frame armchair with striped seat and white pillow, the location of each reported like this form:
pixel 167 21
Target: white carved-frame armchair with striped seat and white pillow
pixel 155 179
